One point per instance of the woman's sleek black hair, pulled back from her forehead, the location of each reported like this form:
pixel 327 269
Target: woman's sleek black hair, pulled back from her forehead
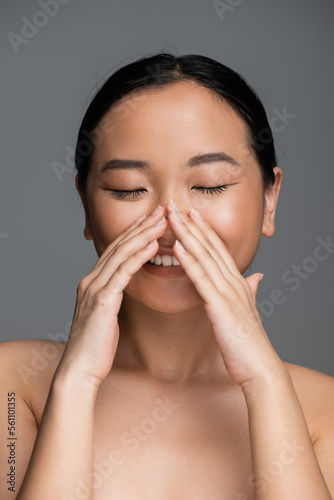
pixel 164 69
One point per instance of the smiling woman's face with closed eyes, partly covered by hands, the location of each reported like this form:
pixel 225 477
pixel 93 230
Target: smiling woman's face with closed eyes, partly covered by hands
pixel 166 128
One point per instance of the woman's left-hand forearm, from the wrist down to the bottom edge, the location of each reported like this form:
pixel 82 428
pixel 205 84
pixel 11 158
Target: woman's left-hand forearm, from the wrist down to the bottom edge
pixel 62 458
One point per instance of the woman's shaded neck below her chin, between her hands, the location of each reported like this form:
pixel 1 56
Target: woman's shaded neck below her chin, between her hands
pixel 168 346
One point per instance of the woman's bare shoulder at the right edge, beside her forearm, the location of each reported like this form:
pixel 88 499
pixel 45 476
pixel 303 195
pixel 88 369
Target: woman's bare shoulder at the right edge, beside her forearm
pixel 315 391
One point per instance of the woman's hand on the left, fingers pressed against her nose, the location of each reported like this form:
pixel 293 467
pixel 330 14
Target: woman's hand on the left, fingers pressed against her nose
pixel 94 334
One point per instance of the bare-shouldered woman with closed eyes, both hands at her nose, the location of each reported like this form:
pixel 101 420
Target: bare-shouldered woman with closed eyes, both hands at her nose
pixel 168 386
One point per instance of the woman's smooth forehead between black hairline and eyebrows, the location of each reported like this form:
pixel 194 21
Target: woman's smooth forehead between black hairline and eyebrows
pixel 181 119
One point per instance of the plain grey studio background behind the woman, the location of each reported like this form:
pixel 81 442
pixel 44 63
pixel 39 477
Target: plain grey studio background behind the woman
pixel 284 48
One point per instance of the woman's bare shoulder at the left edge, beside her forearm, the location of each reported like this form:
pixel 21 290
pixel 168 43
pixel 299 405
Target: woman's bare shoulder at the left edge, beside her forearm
pixel 26 371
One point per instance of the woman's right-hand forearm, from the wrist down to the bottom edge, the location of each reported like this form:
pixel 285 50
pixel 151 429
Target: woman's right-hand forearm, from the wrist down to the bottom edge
pixel 283 460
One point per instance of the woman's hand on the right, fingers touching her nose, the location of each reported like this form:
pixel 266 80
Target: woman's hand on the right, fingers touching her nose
pixel 229 298
